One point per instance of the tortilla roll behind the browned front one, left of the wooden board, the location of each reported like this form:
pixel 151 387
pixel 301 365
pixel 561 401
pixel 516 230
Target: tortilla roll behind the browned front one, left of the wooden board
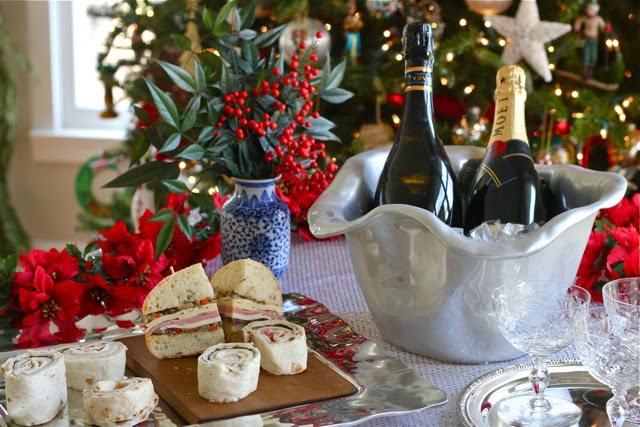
pixel 86 364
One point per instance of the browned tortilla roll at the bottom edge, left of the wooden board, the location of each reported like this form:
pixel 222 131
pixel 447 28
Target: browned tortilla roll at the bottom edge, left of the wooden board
pixel 122 403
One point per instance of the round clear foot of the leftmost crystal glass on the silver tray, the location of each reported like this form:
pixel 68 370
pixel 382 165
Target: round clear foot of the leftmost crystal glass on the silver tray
pixel 520 410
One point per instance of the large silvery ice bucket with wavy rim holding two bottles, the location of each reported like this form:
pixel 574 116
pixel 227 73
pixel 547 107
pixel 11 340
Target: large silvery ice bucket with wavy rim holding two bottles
pixel 426 285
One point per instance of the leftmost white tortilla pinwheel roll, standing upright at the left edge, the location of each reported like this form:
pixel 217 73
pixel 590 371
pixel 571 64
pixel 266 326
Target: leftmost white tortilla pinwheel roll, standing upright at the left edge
pixel 35 386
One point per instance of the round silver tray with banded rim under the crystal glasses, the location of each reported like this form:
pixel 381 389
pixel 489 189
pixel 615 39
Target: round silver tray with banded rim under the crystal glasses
pixel 569 380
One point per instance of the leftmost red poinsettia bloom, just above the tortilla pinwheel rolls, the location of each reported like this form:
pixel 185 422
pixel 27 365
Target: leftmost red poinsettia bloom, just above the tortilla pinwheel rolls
pixel 48 300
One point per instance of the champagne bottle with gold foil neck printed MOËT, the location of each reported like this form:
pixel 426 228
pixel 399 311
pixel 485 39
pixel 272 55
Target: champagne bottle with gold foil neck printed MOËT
pixel 506 185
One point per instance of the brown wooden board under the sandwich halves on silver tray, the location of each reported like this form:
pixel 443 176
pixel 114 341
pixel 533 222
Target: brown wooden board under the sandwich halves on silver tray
pixel 176 382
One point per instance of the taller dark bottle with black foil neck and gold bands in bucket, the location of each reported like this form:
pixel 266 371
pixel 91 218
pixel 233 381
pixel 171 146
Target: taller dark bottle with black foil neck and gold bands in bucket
pixel 418 171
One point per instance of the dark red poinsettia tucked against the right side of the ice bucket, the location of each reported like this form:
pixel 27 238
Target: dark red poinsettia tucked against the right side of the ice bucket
pixel 592 267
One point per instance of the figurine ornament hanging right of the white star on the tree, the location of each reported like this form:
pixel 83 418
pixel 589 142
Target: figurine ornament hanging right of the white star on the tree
pixel 589 27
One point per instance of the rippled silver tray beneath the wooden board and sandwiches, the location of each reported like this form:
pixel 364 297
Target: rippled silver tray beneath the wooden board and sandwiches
pixel 386 386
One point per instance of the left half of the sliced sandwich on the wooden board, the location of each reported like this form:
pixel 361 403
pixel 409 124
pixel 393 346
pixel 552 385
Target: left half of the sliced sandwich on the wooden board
pixel 181 315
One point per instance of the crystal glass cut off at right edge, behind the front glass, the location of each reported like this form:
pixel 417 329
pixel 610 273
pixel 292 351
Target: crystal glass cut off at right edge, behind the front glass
pixel 622 298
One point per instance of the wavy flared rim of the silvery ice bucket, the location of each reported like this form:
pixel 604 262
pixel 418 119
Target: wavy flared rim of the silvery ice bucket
pixel 327 219
